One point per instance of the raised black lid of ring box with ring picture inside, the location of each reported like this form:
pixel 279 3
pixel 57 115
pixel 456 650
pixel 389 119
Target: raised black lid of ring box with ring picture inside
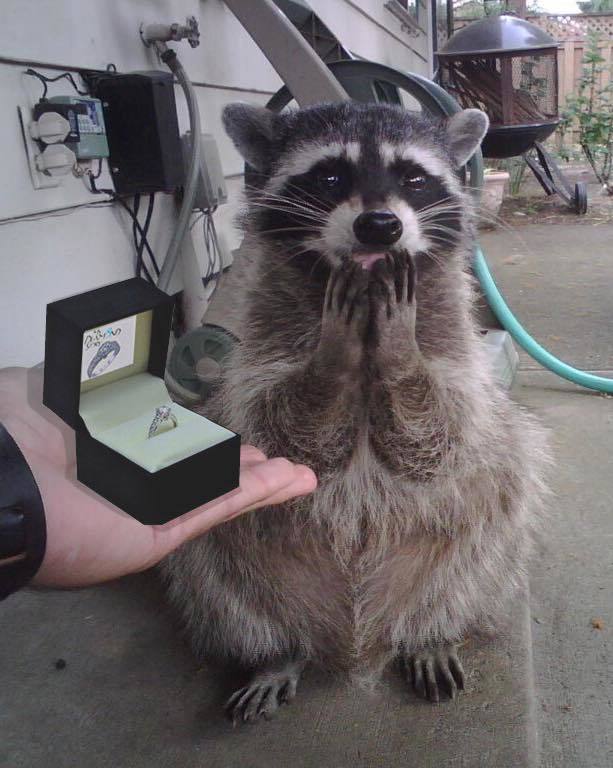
pixel 134 308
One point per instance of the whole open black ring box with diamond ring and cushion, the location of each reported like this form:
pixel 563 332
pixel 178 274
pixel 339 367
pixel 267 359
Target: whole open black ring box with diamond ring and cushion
pixel 105 357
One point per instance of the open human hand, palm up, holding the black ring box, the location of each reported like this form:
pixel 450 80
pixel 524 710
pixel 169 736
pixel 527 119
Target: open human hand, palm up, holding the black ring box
pixel 89 540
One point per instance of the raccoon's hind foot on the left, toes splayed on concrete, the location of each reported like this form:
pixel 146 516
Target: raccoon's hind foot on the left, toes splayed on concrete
pixel 266 691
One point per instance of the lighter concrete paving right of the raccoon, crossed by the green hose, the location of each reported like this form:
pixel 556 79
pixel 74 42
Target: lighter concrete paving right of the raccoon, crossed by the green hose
pixel 559 281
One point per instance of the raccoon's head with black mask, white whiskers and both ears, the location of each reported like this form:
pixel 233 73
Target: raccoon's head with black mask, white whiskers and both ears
pixel 354 181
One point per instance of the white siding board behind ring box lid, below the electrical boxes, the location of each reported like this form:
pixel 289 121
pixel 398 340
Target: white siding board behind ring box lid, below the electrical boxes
pixel 41 261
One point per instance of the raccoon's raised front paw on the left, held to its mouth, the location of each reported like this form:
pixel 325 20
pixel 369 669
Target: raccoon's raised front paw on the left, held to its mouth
pixel 344 318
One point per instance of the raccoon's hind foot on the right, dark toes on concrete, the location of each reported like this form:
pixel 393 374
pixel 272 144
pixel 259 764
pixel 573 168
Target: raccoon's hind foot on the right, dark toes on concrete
pixel 434 669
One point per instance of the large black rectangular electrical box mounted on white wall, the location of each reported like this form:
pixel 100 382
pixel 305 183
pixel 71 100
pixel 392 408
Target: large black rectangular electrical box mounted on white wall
pixel 143 131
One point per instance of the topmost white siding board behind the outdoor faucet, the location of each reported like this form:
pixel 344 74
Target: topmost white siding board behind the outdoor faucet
pixel 92 33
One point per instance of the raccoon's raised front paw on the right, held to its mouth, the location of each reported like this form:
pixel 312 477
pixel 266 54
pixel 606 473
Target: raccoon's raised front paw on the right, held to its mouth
pixel 393 309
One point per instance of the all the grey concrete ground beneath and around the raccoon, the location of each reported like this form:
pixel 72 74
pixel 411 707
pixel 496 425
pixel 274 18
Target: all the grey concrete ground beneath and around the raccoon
pixel 130 694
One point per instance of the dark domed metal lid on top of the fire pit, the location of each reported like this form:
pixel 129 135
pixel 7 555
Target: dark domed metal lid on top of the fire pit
pixel 496 34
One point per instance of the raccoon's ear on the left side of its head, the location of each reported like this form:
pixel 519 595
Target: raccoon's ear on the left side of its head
pixel 250 129
